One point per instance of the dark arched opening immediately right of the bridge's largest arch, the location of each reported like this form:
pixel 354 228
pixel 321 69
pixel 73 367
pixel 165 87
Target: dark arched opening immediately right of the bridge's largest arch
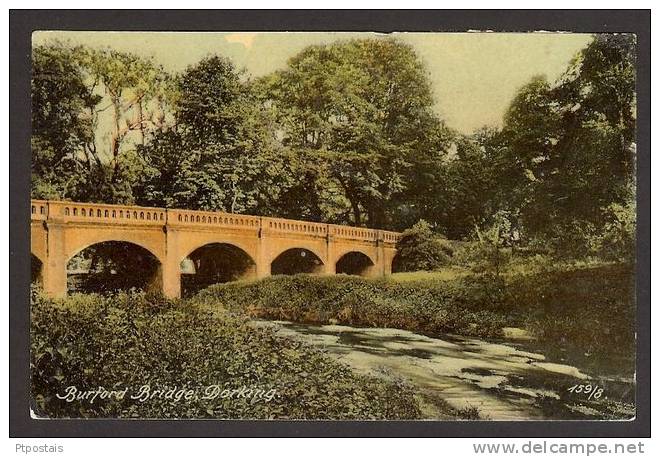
pixel 212 264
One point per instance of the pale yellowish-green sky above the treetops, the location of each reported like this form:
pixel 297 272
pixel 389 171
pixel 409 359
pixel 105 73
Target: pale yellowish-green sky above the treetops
pixel 474 75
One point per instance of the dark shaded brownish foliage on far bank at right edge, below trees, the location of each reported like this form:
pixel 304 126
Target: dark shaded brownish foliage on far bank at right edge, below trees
pixel 591 310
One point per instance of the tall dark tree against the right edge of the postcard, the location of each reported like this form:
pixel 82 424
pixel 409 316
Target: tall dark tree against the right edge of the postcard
pixel 568 147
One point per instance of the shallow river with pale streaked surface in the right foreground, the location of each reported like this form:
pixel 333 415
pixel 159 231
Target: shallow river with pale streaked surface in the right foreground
pixel 459 377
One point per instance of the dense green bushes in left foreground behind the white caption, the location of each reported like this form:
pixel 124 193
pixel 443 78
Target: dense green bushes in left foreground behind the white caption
pixel 130 341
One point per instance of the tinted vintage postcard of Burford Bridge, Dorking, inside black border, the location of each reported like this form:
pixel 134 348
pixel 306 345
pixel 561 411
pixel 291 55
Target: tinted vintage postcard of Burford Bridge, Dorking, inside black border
pixel 333 226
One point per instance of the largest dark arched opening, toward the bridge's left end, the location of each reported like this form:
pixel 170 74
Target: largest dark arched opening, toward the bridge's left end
pixel 111 266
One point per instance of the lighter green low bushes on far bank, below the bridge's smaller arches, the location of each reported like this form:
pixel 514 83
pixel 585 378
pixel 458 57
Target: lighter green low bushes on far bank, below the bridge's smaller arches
pixel 470 307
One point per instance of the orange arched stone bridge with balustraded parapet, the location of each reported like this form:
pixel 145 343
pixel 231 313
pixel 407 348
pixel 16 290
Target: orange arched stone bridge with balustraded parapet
pixel 60 230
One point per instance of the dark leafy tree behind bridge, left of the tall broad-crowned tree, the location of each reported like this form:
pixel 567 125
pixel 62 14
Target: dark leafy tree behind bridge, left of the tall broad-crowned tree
pixel 220 154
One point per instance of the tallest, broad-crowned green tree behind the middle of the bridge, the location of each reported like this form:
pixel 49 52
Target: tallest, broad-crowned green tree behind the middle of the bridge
pixel 363 107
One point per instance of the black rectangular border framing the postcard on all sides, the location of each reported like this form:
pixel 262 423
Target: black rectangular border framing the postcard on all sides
pixel 23 22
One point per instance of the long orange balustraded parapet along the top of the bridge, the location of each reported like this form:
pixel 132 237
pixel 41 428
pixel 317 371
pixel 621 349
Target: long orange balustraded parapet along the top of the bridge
pixel 124 214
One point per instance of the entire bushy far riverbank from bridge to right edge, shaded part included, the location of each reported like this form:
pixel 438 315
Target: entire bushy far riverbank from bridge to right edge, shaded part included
pixel 590 308
